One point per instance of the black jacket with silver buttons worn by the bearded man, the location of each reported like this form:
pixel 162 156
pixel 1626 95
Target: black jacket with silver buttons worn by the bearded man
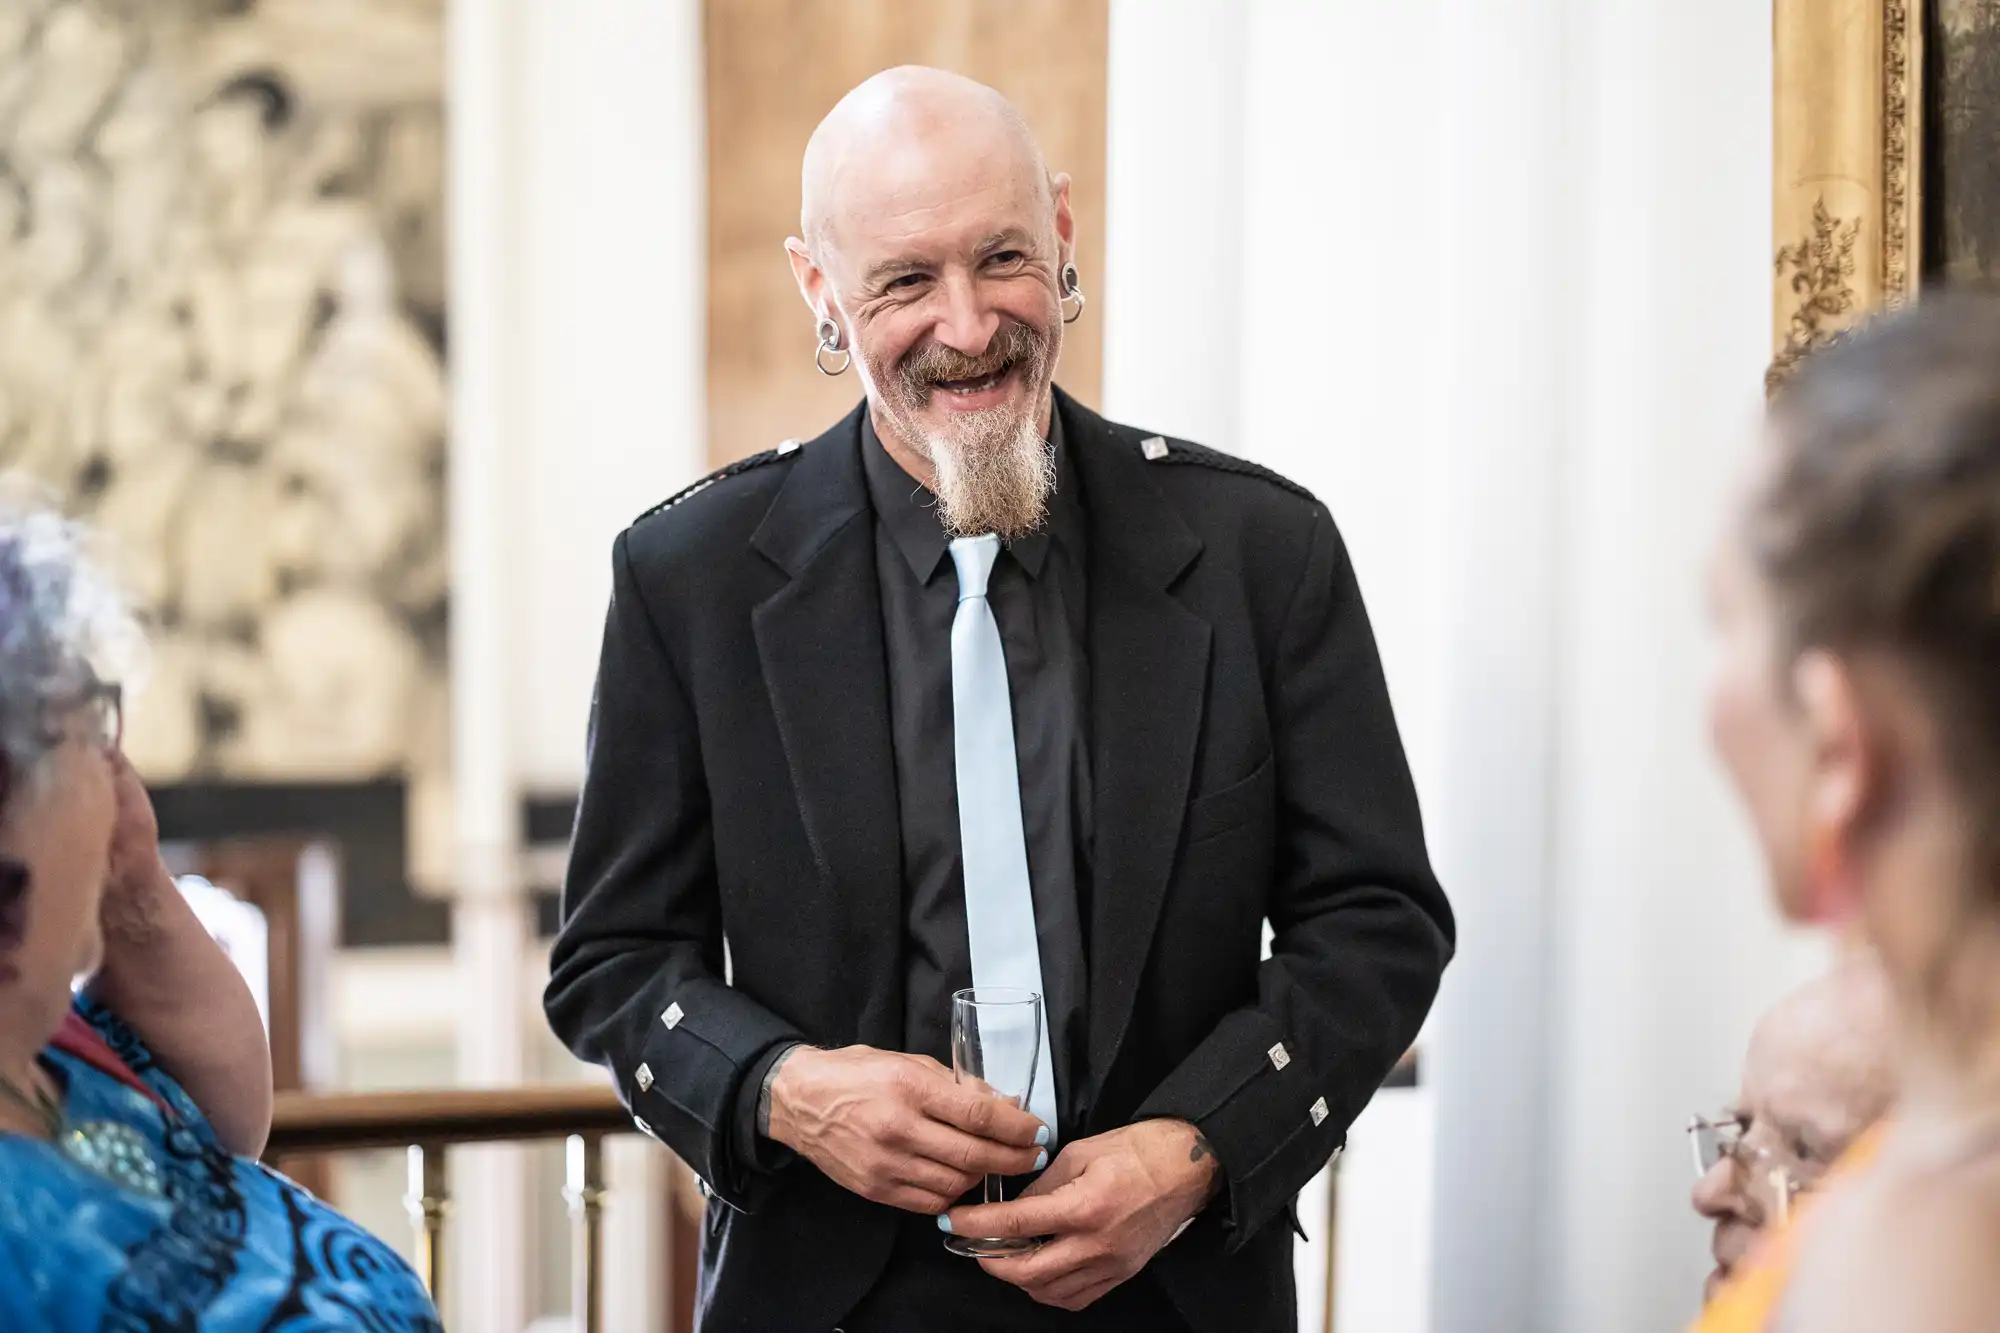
pixel 735 878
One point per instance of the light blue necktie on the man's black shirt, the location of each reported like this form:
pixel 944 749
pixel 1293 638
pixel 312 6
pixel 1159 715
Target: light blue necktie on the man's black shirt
pixel 999 900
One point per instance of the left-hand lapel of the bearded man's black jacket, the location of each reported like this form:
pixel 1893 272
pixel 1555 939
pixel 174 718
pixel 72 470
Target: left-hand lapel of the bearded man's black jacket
pixel 825 665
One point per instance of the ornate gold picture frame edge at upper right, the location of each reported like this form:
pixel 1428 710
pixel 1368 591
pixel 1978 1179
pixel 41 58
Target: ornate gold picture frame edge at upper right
pixel 1849 167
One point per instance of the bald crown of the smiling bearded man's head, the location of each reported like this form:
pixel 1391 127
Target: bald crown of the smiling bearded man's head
pixel 895 139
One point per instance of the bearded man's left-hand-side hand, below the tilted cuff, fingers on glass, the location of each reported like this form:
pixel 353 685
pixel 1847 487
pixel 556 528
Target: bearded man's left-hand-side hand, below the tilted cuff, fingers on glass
pixel 897 1128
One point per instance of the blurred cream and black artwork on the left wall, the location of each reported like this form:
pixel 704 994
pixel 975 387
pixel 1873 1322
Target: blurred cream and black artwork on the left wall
pixel 223 311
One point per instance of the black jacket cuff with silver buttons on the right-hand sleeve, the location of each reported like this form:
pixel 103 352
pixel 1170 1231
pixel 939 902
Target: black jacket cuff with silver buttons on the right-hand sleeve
pixel 1251 1094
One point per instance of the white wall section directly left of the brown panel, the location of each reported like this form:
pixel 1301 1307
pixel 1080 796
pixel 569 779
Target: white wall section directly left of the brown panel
pixel 613 267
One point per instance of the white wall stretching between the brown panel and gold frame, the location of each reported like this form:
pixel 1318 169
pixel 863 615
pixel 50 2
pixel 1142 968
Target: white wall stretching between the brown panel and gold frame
pixel 1503 303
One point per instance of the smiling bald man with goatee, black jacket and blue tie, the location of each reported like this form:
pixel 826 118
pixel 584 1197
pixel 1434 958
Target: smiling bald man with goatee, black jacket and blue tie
pixel 981 690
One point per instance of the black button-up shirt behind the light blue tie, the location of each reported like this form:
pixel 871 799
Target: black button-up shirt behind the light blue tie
pixel 1037 593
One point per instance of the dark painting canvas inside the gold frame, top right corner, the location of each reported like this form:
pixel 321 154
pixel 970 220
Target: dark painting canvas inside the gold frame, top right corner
pixel 1963 141
